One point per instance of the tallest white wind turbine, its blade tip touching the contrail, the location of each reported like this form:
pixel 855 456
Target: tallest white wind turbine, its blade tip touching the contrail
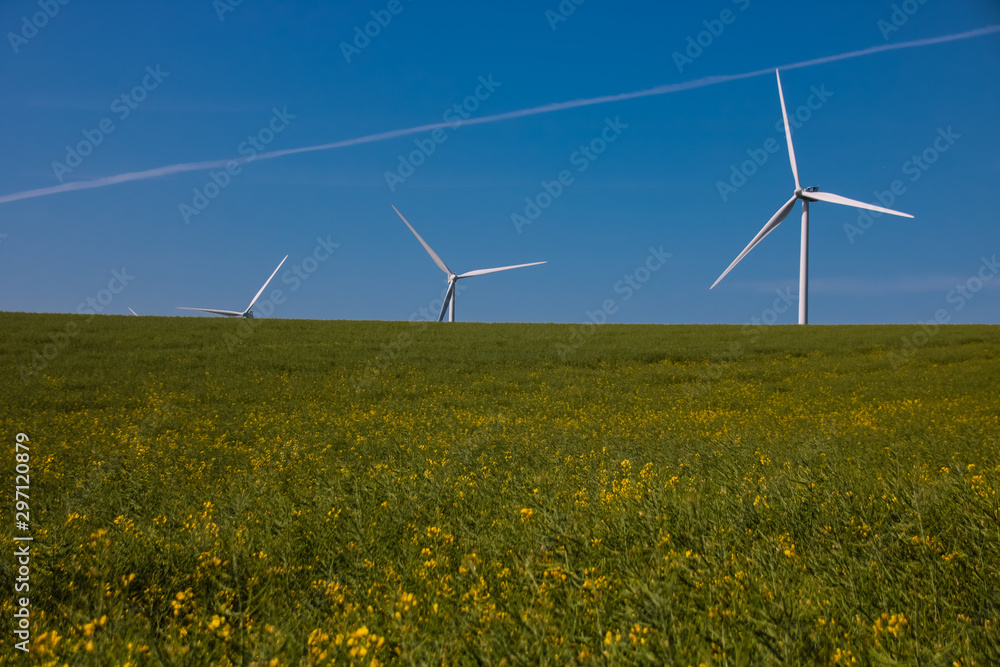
pixel 807 195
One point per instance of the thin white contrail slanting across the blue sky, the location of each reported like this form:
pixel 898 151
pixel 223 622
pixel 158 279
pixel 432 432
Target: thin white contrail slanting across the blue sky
pixel 510 115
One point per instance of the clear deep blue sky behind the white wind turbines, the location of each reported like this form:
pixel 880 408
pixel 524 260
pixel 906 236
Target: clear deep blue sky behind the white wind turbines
pixel 201 78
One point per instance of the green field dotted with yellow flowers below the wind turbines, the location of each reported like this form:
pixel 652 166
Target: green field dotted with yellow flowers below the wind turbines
pixel 299 492
